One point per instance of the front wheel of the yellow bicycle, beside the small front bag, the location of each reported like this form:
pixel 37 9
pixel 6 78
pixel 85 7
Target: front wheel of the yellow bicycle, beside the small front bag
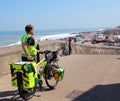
pixel 49 77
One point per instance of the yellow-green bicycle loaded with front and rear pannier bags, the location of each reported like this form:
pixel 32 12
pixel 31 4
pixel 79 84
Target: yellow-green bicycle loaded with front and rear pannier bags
pixel 48 71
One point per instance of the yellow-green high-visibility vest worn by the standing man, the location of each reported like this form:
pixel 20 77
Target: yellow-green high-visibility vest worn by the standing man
pixel 31 48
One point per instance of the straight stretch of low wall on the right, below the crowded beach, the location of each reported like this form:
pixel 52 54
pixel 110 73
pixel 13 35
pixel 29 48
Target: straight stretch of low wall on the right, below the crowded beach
pixel 95 50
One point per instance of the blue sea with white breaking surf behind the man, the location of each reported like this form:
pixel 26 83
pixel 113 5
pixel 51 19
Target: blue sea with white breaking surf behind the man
pixel 10 38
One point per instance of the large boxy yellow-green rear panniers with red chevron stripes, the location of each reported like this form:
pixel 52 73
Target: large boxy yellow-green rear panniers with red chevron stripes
pixel 29 74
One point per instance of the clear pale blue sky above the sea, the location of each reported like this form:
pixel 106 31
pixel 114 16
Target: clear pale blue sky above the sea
pixel 59 14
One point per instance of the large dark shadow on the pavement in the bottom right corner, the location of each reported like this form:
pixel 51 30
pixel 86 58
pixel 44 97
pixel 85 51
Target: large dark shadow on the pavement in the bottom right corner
pixel 100 93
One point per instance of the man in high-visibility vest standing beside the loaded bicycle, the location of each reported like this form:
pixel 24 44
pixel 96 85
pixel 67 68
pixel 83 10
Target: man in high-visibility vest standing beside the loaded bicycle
pixel 29 50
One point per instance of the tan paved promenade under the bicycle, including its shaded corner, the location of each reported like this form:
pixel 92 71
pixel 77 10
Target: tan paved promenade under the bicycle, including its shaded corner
pixel 87 78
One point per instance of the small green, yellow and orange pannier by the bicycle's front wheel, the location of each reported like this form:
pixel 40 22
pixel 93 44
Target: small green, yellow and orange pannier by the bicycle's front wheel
pixel 59 73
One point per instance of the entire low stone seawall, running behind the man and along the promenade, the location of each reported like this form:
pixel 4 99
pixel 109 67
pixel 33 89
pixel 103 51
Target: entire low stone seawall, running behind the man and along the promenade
pixel 12 54
